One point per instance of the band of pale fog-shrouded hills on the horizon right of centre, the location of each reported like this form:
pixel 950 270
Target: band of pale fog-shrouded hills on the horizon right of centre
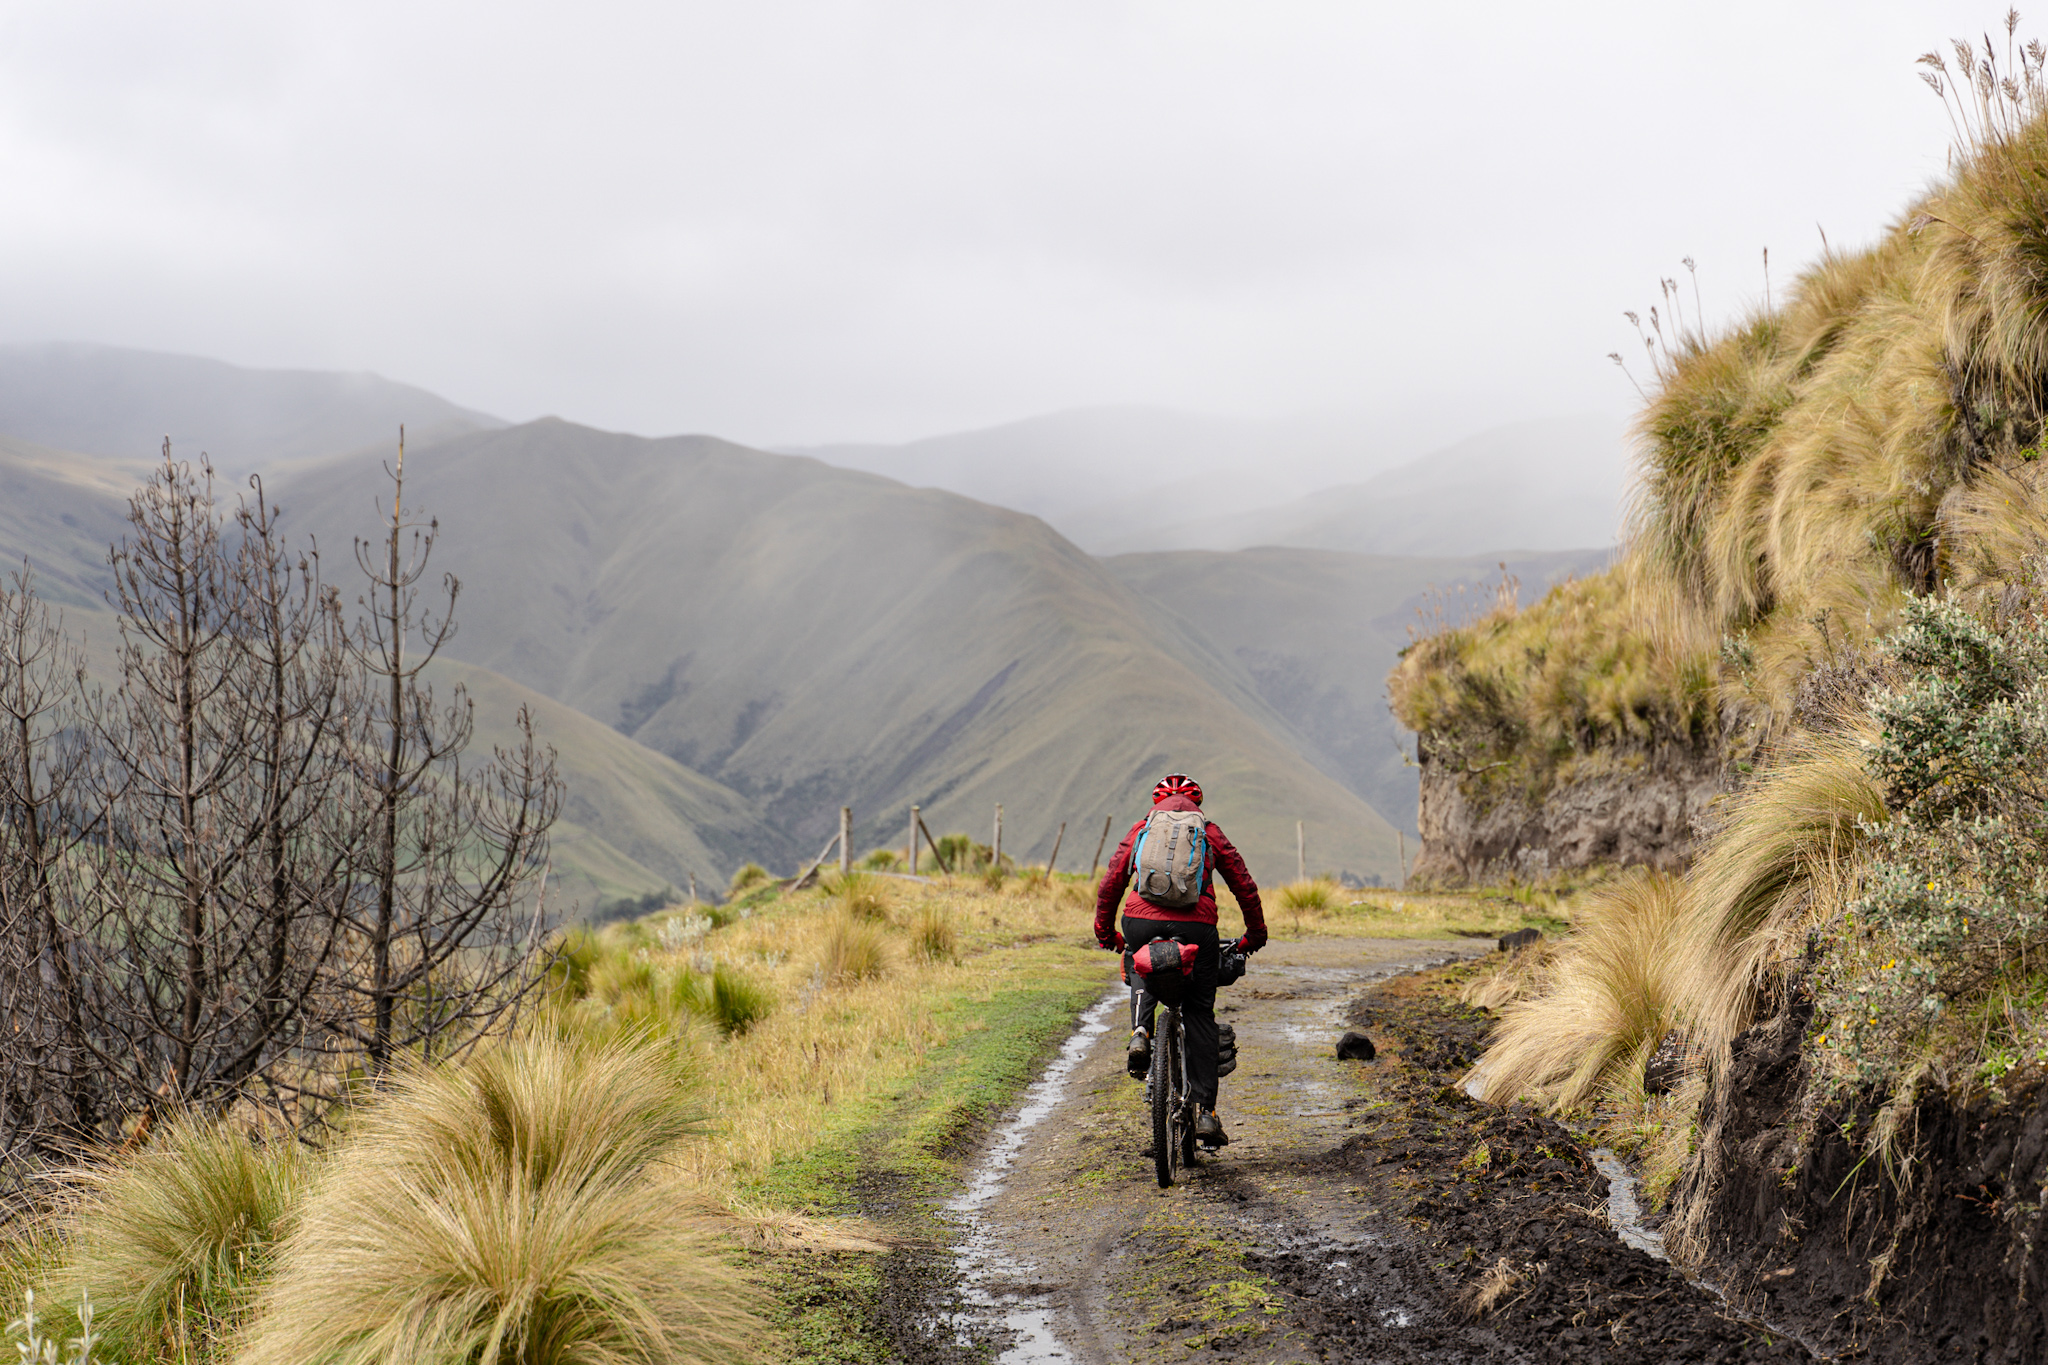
pixel 1127 480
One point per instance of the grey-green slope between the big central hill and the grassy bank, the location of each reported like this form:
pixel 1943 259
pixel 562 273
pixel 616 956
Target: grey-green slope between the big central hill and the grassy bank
pixel 1318 631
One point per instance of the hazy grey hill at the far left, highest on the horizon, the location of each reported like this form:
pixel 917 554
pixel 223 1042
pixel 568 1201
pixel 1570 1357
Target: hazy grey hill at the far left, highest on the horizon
pixel 122 404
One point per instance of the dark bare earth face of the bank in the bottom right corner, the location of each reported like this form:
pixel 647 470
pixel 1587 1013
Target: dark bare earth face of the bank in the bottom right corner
pixel 1934 1260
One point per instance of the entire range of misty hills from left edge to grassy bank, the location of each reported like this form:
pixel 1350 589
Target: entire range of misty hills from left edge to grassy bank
pixel 728 644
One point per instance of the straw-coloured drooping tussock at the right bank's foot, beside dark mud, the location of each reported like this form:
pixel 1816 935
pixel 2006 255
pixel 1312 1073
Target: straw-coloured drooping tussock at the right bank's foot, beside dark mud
pixel 1615 994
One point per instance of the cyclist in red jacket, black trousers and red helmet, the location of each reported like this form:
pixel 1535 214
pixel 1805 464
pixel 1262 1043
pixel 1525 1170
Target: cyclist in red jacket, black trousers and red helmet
pixel 1191 924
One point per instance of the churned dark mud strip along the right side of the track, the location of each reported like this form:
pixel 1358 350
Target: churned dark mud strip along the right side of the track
pixel 1510 1196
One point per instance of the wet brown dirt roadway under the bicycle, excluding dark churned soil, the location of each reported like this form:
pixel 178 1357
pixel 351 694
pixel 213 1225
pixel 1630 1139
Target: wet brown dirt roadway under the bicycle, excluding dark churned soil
pixel 1074 1243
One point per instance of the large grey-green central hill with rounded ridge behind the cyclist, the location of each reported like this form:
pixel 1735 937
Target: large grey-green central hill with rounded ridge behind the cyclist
pixel 818 637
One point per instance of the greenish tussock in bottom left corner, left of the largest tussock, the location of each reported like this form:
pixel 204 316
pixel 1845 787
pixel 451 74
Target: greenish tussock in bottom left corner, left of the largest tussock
pixel 171 1243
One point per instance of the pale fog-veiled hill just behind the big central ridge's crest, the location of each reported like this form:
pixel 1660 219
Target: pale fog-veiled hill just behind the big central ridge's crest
pixel 1095 474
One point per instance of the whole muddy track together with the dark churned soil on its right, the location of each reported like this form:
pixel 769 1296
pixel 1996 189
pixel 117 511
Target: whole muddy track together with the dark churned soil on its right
pixel 1357 1215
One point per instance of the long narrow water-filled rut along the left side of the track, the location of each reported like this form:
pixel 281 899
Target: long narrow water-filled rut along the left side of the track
pixel 1025 1317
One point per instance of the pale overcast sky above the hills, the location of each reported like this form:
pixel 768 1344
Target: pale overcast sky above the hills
pixel 876 222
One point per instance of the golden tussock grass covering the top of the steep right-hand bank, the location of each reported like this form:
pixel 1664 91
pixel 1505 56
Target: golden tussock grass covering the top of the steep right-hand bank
pixel 1803 474
